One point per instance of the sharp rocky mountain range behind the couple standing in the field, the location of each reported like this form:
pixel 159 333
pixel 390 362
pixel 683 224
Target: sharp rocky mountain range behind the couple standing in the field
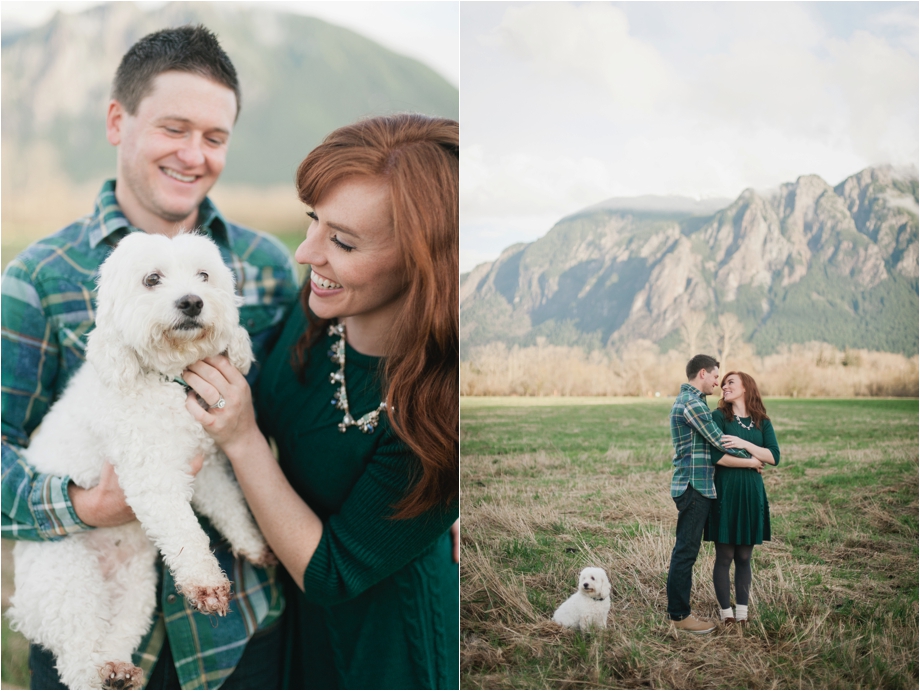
pixel 804 262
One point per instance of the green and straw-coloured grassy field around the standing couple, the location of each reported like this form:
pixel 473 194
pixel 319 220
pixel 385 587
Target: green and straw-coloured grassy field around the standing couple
pixel 550 489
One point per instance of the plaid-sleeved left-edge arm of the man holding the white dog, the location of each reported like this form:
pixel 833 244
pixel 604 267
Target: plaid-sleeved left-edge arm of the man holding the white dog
pixel 35 506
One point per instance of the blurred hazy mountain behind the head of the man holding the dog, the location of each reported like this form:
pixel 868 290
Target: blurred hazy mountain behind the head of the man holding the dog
pixel 300 78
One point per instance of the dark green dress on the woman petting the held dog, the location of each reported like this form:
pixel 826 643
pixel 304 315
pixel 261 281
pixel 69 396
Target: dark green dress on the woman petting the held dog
pixel 381 604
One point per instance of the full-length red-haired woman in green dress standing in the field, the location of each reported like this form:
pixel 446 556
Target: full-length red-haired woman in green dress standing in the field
pixel 740 516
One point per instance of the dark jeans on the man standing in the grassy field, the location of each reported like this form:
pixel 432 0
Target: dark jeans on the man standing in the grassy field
pixel 692 514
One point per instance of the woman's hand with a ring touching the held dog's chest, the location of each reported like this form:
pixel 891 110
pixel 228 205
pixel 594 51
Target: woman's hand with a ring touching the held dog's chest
pixel 214 379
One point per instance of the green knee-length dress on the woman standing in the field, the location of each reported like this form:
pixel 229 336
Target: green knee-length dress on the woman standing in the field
pixel 740 515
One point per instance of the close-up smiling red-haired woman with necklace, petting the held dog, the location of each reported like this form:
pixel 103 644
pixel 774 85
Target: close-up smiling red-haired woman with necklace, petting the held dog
pixel 360 395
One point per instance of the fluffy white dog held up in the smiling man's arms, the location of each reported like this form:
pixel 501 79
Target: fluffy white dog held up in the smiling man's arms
pixel 89 597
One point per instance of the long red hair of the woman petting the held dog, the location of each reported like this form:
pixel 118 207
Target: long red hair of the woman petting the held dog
pixel 418 157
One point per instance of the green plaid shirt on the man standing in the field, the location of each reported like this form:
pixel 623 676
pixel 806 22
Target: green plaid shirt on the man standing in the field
pixel 694 434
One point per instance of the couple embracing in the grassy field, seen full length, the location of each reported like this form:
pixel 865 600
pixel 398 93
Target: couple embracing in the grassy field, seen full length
pixel 718 488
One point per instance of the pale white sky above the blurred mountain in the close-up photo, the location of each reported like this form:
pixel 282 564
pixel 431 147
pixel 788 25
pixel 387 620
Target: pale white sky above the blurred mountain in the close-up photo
pixel 426 31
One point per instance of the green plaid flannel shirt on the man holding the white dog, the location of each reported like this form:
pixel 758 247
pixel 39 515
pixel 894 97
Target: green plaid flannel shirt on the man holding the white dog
pixel 47 310
